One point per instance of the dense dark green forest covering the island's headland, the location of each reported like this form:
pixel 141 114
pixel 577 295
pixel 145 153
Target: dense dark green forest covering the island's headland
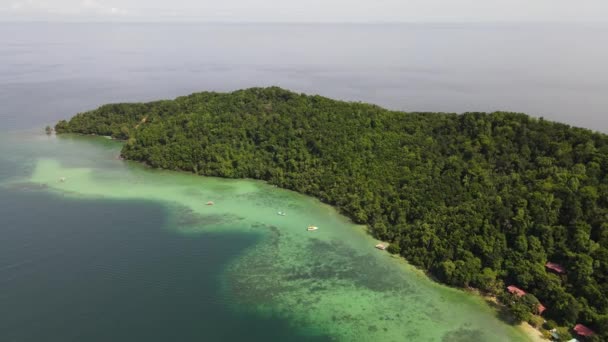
pixel 480 200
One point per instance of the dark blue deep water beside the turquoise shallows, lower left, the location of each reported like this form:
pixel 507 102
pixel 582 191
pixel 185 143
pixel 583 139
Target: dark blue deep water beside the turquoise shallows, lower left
pixel 73 270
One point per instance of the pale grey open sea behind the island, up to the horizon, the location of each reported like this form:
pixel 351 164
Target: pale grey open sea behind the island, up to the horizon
pixel 50 71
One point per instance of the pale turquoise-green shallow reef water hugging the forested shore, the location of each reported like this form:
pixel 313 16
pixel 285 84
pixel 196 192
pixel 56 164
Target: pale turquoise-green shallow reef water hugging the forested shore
pixel 368 300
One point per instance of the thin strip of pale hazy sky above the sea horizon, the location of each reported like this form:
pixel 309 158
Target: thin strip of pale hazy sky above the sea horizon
pixel 307 10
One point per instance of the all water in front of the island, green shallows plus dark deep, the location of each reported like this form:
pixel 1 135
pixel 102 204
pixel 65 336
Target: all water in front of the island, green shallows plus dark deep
pixel 124 252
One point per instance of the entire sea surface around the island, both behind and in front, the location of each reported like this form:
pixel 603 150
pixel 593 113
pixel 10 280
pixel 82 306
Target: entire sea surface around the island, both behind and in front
pixel 121 252
